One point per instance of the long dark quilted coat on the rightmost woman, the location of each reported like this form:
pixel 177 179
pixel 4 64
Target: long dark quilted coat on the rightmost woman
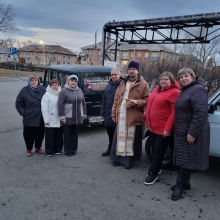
pixel 191 117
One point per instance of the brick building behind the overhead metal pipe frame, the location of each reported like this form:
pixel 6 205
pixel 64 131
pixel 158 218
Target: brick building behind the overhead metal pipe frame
pixel 126 52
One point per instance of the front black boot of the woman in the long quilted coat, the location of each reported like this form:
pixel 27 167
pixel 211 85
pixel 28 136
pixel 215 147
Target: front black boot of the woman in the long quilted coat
pixel 183 174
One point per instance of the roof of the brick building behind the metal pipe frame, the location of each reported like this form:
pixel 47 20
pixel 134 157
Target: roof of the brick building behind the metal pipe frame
pixel 126 46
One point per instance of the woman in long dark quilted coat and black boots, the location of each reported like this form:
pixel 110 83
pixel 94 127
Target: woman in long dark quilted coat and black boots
pixel 192 130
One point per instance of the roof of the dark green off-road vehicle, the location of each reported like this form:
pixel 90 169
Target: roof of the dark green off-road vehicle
pixel 81 68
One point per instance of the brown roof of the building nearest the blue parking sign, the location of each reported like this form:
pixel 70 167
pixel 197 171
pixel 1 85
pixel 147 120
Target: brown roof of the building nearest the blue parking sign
pixel 47 49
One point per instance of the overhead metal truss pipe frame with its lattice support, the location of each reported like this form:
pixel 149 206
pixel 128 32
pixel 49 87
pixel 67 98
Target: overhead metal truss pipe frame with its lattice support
pixel 168 30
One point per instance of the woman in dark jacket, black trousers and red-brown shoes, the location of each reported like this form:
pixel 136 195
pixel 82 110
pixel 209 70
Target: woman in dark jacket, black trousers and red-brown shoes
pixel 28 105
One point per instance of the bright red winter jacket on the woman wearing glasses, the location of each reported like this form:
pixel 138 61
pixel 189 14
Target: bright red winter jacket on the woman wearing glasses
pixel 160 109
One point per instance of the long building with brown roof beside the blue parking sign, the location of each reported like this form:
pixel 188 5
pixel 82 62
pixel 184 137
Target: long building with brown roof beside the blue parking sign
pixel 47 54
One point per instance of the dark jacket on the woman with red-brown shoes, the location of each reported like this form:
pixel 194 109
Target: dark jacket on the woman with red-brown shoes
pixel 28 105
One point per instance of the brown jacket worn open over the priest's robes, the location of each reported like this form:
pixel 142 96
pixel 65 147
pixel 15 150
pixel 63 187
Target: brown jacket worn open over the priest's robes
pixel 139 92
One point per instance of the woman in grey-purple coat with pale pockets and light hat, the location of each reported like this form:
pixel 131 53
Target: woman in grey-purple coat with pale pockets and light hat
pixel 72 111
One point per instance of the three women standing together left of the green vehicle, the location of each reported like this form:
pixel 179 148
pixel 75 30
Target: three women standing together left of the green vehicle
pixel 52 112
